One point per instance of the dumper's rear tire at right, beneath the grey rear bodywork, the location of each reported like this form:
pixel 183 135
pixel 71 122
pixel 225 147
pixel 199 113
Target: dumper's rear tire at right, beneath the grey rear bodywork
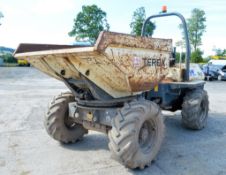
pixel 195 109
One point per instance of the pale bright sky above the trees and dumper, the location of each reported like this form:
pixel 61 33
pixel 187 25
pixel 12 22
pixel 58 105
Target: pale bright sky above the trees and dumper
pixel 49 21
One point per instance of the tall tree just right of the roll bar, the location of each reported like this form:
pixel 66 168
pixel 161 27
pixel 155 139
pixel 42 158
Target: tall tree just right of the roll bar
pixel 196 27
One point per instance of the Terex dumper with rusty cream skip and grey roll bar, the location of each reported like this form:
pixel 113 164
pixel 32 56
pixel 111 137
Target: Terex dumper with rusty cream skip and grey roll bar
pixel 119 87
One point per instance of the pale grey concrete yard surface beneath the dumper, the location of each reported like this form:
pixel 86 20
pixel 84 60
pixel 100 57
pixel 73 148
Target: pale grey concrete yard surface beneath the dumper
pixel 25 147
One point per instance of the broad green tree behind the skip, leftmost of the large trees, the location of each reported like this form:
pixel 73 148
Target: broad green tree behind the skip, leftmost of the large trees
pixel 89 23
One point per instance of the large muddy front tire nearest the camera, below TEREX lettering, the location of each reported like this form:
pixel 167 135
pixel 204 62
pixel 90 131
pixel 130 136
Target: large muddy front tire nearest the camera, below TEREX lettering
pixel 128 142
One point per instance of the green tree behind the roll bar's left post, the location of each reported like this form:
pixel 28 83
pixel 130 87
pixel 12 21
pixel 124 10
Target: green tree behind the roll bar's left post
pixel 138 19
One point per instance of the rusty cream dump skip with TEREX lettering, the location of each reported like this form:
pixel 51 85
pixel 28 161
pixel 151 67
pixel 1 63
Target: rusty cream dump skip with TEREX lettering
pixel 120 64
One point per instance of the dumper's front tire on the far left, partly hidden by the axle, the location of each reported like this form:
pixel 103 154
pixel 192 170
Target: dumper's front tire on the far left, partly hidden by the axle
pixel 57 123
